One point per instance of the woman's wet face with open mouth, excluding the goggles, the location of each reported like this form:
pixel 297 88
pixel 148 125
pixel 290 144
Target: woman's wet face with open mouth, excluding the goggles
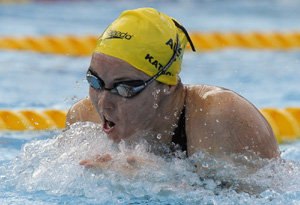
pixel 123 117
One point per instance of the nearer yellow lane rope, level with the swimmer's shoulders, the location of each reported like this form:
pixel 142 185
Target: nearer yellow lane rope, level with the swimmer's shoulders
pixel 284 122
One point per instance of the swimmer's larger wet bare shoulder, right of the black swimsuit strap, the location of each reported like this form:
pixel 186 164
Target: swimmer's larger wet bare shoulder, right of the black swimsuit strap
pixel 227 123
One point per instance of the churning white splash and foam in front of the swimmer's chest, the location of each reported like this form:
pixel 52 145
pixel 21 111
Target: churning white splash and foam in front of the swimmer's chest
pixel 50 171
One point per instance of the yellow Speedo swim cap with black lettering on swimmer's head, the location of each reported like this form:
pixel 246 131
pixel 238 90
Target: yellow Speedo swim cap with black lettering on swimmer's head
pixel 146 39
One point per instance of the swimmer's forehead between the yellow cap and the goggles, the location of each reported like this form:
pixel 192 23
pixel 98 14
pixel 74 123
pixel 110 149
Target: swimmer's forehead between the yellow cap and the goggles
pixel 108 66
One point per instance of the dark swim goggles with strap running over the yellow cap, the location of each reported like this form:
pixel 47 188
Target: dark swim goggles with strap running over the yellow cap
pixel 129 89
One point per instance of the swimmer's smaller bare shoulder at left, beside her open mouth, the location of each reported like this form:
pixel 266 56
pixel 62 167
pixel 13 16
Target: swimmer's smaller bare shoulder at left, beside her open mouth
pixel 82 111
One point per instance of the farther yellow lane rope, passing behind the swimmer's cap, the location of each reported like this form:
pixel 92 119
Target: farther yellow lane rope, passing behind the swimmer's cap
pixel 84 45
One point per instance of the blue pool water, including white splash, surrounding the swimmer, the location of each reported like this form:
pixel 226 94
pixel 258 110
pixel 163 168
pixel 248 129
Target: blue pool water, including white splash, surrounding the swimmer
pixel 42 167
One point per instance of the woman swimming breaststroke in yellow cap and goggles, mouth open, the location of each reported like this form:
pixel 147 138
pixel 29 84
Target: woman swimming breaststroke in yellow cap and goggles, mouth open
pixel 136 92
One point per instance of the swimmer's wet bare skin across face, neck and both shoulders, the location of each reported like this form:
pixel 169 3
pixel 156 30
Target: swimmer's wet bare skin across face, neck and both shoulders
pixel 218 121
